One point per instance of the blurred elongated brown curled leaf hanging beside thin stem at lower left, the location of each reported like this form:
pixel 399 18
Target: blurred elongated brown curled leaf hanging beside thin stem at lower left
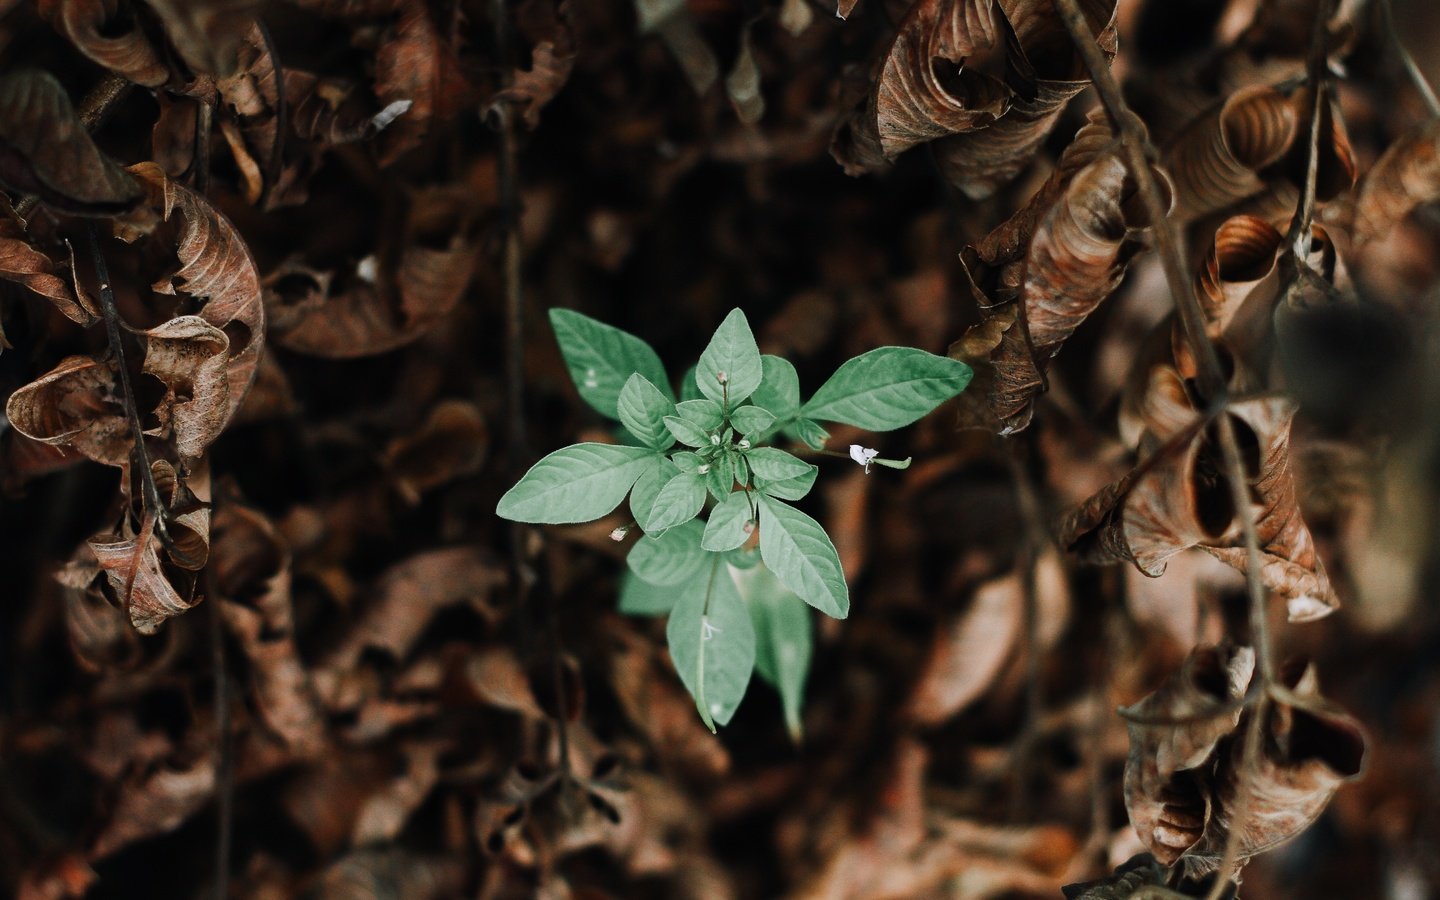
pixel 253 582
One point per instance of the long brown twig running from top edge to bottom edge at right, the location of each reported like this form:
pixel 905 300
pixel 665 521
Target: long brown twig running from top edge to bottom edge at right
pixel 1140 150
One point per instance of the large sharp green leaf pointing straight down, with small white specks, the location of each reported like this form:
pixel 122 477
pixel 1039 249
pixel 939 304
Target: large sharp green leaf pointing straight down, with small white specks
pixel 712 643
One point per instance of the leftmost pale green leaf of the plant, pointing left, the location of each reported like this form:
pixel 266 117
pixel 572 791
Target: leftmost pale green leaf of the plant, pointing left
pixel 578 483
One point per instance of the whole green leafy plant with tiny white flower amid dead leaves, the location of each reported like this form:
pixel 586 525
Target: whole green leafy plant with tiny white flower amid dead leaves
pixel 735 598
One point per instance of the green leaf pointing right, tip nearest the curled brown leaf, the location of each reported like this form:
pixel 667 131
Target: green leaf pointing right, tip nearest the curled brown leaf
pixel 888 388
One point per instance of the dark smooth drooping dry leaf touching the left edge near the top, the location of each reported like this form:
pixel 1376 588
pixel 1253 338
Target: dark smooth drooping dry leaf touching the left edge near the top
pixel 50 153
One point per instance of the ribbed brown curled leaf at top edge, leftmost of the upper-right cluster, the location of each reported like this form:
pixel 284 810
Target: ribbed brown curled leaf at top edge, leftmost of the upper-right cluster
pixel 925 90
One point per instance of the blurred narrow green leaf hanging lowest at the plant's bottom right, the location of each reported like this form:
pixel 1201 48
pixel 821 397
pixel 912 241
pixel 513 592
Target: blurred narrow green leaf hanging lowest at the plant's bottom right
pixel 783 639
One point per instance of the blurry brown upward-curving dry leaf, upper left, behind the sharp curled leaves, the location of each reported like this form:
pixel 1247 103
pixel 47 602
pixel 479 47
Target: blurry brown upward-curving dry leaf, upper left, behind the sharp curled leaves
pixel 385 309
